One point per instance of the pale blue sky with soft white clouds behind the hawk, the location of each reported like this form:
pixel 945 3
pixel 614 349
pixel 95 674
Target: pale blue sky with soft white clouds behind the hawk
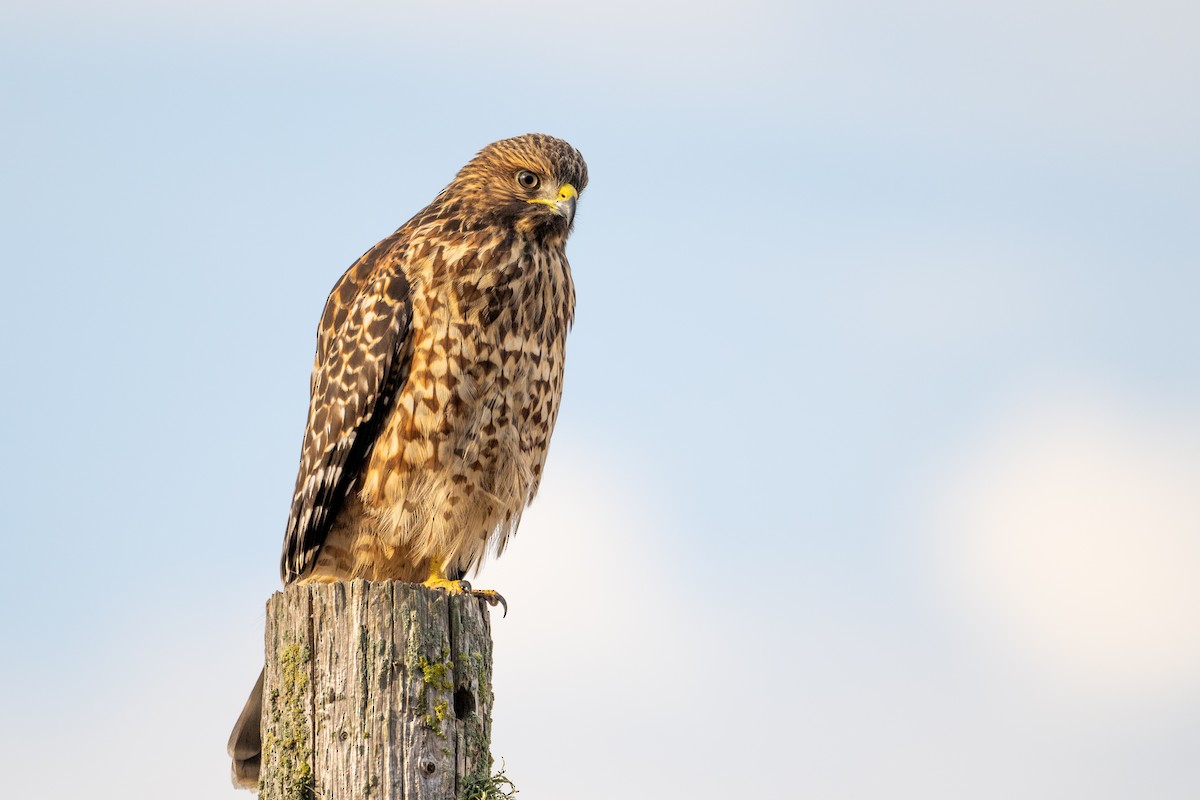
pixel 883 393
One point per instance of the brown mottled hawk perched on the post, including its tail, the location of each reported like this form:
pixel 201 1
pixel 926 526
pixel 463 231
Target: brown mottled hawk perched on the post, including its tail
pixel 436 387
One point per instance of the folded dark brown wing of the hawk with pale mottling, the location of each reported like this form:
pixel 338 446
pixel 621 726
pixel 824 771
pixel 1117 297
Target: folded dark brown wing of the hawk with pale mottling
pixel 361 366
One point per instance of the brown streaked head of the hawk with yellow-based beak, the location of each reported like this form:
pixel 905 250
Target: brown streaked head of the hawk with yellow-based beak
pixel 530 183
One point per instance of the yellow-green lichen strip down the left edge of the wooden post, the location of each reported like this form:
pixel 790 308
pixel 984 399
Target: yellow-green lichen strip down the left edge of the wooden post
pixel 287 739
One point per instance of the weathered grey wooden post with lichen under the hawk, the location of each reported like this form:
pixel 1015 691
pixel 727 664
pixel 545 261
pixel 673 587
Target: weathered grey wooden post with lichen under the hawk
pixel 375 690
